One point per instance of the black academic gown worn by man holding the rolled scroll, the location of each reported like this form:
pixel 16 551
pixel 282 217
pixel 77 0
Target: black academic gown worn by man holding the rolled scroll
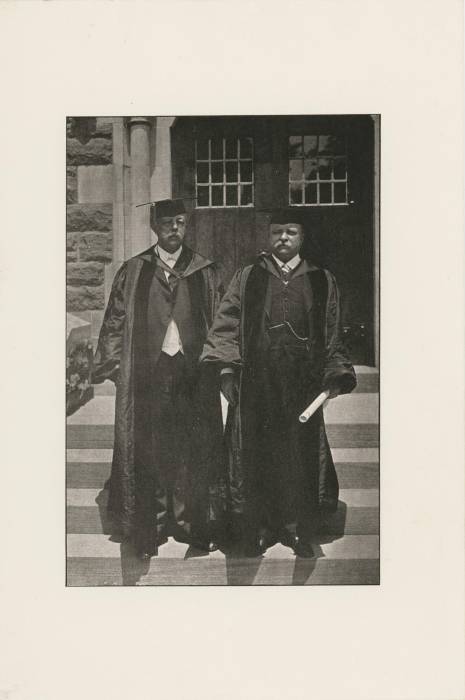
pixel 269 450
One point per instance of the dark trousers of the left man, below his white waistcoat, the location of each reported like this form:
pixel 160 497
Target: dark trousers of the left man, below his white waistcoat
pixel 162 479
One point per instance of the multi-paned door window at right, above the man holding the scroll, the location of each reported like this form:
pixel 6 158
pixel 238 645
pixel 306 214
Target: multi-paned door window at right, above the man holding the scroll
pixel 317 170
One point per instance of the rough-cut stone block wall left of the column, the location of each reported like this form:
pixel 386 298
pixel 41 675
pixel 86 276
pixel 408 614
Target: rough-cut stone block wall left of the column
pixel 89 197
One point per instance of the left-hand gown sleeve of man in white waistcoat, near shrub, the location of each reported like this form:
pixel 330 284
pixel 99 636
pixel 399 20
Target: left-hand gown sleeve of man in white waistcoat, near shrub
pixel 107 356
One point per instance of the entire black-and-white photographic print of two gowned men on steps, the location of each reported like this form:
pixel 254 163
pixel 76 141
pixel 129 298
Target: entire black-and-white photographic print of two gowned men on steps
pixel 222 370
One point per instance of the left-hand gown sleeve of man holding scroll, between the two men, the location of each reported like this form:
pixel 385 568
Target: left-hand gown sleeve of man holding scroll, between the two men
pixel 222 346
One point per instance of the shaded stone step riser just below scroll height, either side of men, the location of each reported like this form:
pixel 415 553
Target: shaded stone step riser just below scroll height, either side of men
pixel 340 435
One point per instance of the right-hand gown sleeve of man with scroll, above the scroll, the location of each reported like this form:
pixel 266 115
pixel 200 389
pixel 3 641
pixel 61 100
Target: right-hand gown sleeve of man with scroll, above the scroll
pixel 339 374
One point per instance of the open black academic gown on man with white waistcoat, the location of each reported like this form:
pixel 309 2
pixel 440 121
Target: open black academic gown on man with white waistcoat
pixel 127 353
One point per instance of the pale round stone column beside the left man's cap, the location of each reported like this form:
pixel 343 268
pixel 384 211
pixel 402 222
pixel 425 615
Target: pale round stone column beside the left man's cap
pixel 140 129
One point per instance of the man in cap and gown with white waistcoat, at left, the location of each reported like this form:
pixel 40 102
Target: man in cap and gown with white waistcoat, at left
pixel 167 418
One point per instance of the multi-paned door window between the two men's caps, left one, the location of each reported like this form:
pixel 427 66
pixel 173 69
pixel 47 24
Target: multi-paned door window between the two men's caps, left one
pixel 224 174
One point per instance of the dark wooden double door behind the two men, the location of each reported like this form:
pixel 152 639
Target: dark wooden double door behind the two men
pixel 343 232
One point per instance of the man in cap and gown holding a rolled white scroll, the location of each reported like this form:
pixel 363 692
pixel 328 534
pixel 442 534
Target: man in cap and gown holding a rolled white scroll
pixel 277 341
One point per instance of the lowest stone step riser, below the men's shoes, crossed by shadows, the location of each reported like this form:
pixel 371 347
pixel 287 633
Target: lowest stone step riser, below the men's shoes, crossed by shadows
pixel 205 571
